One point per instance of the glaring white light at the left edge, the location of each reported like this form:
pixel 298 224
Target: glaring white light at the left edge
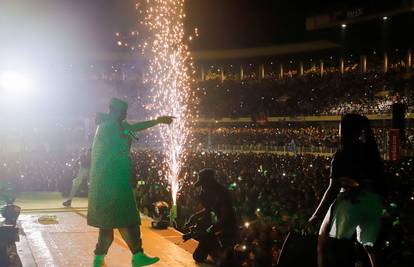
pixel 12 81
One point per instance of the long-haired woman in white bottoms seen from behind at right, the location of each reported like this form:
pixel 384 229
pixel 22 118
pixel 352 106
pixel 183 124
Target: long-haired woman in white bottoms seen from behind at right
pixel 352 203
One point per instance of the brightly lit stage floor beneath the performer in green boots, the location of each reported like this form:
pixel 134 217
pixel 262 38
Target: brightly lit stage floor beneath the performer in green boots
pixel 70 241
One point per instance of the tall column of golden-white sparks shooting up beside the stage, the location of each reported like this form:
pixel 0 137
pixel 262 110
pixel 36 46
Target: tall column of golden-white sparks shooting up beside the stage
pixel 169 76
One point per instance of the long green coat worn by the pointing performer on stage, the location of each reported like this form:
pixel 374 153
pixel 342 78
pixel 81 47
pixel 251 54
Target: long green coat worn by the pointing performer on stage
pixel 111 198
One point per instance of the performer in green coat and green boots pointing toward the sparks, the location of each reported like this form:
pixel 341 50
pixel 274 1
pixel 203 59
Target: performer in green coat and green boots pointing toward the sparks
pixel 111 198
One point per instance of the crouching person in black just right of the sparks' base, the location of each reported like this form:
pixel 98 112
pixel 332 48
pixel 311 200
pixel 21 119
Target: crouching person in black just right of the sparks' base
pixel 219 238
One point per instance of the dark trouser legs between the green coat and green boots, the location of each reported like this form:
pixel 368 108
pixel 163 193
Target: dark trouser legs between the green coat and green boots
pixel 131 236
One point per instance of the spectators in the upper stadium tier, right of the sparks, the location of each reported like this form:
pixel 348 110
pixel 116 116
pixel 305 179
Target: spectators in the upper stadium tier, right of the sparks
pixel 331 94
